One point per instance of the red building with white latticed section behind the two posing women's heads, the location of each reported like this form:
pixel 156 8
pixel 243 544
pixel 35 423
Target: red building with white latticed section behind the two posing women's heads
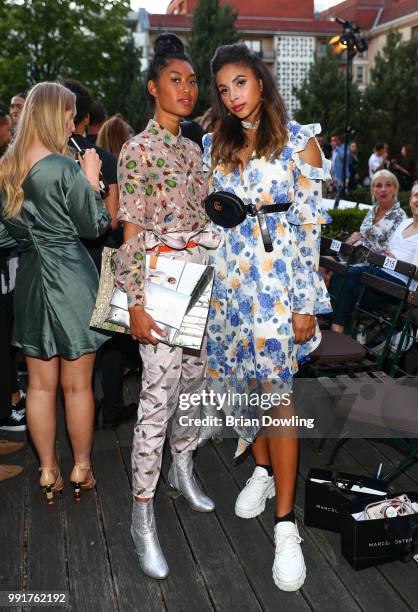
pixel 286 35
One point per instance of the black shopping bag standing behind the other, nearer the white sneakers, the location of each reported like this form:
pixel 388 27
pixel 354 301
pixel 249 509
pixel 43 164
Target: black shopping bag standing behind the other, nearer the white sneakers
pixel 326 491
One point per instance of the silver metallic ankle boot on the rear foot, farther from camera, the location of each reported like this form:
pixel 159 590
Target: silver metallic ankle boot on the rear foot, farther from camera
pixel 181 477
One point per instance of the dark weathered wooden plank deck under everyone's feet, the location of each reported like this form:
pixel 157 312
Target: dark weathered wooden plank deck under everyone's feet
pixel 217 561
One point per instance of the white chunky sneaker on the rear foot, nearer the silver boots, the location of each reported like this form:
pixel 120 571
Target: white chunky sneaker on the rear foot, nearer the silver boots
pixel 252 500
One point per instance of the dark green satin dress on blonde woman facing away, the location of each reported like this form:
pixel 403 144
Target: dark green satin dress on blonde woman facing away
pixel 57 282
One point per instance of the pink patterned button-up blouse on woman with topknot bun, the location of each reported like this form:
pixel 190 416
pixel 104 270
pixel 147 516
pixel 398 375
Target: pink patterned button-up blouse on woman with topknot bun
pixel 161 189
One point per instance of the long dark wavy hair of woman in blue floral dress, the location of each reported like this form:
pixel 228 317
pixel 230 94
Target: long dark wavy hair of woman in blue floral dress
pixel 229 137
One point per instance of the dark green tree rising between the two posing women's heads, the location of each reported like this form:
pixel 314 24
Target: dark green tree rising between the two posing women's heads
pixel 213 25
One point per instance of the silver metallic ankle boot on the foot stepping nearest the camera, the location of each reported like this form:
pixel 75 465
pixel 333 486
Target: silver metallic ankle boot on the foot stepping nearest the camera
pixel 144 534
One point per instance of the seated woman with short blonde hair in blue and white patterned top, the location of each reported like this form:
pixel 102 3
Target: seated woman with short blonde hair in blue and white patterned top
pixel 384 217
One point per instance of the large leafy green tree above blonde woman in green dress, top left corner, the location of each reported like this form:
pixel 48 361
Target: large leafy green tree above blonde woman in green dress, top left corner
pixel 45 40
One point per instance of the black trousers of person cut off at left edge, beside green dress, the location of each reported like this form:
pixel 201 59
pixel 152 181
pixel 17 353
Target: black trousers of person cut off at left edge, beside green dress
pixel 8 377
